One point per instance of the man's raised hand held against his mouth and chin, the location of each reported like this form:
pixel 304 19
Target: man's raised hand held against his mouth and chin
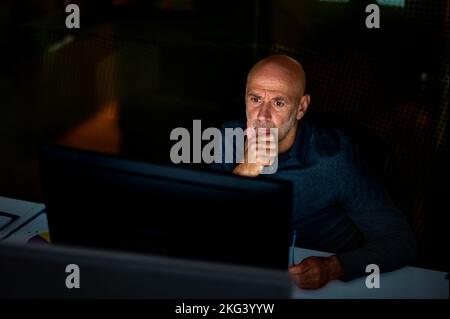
pixel 260 150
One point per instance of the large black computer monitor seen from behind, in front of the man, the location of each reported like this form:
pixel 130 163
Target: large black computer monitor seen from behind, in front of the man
pixel 101 201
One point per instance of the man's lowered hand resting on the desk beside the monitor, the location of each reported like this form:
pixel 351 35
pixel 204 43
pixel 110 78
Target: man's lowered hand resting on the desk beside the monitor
pixel 315 272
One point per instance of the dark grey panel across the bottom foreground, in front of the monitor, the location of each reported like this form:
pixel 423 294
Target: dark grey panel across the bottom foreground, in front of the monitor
pixel 40 271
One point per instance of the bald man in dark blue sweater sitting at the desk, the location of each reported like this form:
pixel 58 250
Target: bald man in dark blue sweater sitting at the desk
pixel 339 205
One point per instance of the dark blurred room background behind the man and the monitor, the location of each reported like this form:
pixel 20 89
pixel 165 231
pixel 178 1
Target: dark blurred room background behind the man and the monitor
pixel 137 69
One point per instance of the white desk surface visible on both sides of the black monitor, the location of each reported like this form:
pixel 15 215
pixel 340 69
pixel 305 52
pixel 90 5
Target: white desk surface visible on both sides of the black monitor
pixel 408 282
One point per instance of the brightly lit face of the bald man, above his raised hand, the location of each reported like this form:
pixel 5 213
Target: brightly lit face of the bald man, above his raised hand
pixel 272 100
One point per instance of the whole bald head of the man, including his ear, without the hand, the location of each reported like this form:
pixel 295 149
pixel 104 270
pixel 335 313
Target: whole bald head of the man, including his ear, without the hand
pixel 275 96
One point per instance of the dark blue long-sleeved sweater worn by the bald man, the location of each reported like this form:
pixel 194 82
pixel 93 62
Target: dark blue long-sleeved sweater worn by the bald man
pixel 339 205
